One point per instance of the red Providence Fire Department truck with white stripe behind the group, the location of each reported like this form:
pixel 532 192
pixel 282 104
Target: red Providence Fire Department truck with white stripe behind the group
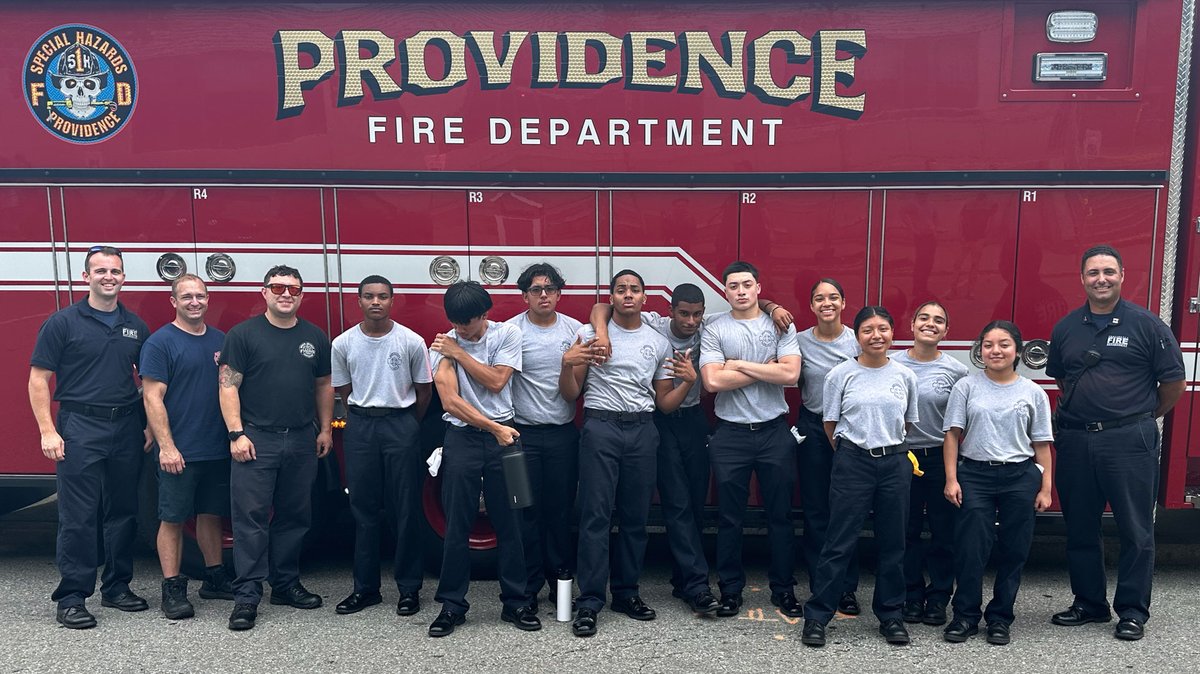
pixel 965 152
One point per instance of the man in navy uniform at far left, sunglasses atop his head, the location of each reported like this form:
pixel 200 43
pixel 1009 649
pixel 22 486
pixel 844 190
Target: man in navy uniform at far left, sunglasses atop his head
pixel 92 350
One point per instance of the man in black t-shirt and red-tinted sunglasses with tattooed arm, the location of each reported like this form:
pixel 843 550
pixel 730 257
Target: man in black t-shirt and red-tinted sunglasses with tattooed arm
pixel 275 382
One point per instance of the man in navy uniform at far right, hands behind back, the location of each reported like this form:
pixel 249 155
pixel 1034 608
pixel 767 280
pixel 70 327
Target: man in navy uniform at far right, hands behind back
pixel 1119 369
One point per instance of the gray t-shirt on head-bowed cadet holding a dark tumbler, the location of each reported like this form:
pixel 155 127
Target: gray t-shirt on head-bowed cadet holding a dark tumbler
pixel 501 346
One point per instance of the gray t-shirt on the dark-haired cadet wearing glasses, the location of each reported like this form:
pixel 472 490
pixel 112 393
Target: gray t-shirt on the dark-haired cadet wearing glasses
pixel 536 396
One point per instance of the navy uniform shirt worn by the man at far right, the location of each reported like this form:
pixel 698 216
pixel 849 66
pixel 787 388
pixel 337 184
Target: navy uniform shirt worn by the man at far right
pixel 1137 353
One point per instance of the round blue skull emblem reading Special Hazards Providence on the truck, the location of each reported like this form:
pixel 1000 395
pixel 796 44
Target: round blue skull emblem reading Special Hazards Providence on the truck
pixel 80 85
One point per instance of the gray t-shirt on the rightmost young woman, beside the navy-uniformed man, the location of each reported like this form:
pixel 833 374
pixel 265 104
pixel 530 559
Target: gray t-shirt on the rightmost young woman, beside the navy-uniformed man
pixel 1000 422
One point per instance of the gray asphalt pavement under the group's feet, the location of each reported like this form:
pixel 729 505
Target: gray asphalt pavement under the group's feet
pixel 376 640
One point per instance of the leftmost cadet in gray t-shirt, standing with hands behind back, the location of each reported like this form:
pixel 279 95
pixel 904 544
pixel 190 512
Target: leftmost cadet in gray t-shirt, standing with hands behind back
pixel 382 370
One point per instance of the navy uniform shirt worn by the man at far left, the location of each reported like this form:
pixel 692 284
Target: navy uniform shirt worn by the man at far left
pixel 93 364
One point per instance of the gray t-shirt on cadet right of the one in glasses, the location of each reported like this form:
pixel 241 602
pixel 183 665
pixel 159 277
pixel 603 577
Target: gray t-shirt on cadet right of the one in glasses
pixel 626 382
